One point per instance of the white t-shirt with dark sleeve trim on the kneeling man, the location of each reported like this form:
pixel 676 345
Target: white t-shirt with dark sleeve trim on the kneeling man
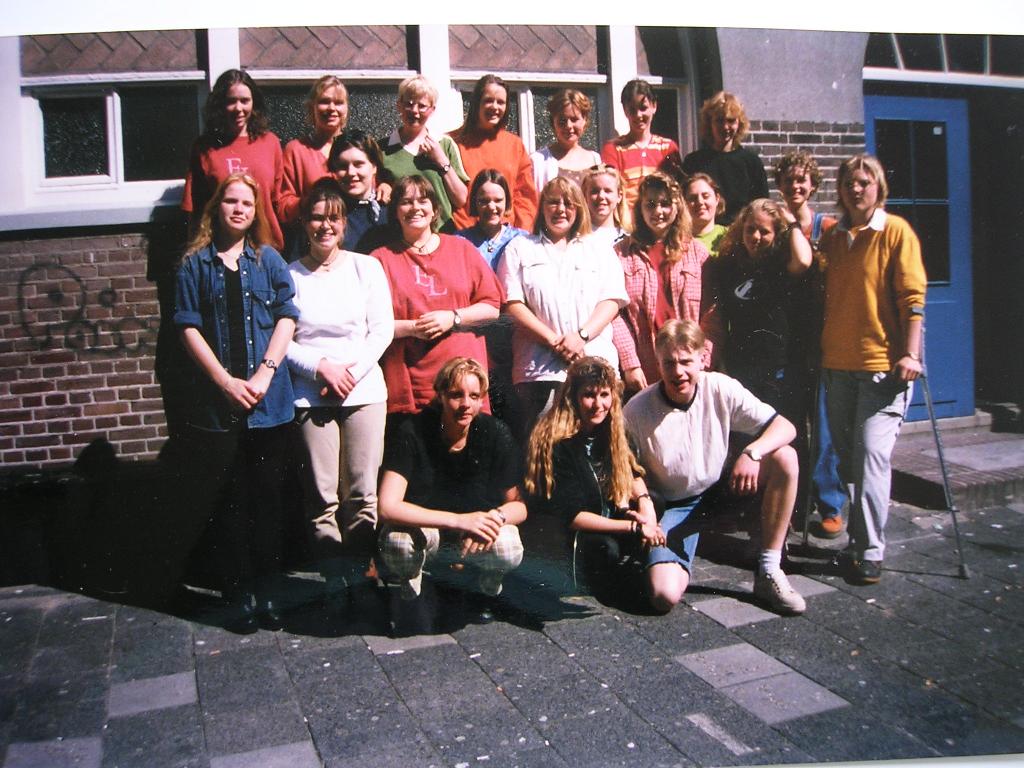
pixel 685 450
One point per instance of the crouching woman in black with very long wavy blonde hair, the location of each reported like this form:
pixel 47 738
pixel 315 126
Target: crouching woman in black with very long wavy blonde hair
pixel 581 468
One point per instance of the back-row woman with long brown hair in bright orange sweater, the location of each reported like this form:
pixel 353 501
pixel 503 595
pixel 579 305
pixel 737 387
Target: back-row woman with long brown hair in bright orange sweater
pixel 484 143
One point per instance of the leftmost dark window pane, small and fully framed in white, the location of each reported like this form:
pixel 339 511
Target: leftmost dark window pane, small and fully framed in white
pixel 75 137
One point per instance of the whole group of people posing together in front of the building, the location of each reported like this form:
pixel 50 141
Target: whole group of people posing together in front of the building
pixel 461 330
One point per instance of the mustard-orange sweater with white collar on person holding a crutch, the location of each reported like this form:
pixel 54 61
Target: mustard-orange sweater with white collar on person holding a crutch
pixel 873 288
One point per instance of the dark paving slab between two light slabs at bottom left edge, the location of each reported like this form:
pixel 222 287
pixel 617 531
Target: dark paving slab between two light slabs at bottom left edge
pixel 162 738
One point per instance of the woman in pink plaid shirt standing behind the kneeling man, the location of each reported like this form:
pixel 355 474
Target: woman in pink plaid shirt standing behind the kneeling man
pixel 664 266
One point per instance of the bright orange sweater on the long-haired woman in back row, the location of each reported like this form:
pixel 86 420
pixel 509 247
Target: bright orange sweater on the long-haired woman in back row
pixel 506 153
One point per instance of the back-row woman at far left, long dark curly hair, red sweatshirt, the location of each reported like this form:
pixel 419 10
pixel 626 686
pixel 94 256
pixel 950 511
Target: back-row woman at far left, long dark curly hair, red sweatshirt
pixel 236 140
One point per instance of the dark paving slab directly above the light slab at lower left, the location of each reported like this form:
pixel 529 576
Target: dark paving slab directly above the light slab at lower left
pixel 149 645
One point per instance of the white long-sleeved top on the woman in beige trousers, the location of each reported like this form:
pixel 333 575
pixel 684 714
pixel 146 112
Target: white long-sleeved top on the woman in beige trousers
pixel 346 316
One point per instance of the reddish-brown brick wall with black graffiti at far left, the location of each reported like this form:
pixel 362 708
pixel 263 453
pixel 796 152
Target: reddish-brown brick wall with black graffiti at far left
pixel 78 329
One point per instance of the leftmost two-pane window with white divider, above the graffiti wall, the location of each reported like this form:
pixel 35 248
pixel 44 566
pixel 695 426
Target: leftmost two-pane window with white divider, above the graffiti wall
pixel 139 133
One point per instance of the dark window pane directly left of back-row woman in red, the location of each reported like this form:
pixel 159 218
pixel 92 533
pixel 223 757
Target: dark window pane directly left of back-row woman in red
pixel 158 124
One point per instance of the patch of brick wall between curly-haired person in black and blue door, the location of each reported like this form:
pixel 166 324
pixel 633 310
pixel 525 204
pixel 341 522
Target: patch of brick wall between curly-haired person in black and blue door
pixel 831 144
